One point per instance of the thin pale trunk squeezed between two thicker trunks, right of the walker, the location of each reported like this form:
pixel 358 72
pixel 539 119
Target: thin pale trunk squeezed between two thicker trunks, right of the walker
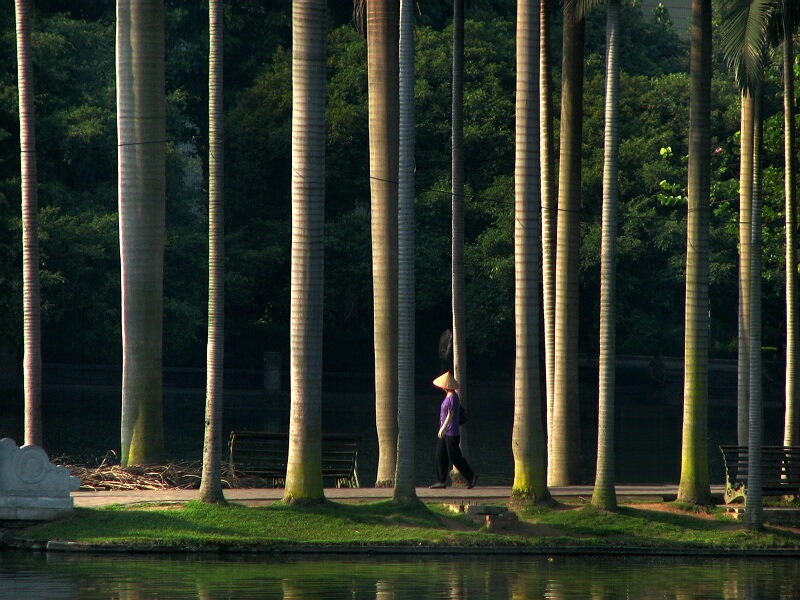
pixel 546 156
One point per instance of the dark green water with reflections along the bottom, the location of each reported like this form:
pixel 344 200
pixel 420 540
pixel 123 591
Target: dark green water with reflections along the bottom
pixel 39 576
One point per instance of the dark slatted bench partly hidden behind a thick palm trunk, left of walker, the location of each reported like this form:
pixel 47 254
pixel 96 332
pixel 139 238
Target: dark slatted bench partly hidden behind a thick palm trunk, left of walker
pixel 264 454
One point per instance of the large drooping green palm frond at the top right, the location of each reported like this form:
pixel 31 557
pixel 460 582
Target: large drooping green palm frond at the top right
pixel 743 31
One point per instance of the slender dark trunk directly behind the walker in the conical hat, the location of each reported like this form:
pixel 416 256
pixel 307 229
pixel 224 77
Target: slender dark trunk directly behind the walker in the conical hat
pixel 457 226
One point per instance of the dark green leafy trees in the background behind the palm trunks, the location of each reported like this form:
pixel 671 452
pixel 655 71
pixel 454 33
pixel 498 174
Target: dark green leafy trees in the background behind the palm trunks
pixel 76 145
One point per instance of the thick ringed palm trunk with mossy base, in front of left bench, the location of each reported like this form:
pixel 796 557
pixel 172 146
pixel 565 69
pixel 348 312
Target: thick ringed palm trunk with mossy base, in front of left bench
pixel 304 468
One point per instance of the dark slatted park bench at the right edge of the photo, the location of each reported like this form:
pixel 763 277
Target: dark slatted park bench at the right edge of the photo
pixel 780 471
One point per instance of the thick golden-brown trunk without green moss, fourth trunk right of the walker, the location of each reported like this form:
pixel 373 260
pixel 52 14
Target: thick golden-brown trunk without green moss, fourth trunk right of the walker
pixel 564 457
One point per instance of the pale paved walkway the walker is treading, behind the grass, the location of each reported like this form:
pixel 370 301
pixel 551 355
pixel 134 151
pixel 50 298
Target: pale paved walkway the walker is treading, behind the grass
pixel 478 495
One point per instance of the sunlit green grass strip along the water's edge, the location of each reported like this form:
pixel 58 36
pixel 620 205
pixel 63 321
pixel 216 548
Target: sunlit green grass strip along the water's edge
pixel 193 524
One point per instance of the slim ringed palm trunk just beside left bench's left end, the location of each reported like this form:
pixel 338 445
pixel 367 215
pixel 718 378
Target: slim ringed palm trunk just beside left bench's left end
pixel 211 482
